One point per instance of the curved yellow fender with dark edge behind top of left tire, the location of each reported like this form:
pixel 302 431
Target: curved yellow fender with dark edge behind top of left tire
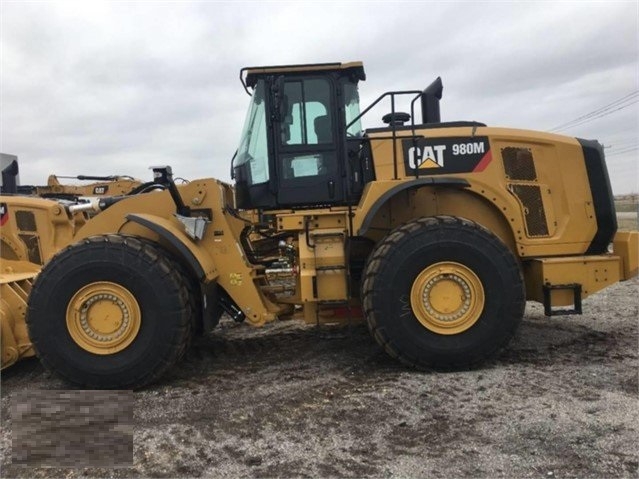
pixel 198 260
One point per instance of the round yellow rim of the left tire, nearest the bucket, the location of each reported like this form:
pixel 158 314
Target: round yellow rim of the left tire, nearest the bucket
pixel 103 318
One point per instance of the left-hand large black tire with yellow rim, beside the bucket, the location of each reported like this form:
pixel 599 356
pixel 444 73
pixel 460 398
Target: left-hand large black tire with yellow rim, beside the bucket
pixel 110 312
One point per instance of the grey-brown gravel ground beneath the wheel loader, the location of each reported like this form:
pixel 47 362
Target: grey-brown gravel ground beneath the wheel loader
pixel 287 401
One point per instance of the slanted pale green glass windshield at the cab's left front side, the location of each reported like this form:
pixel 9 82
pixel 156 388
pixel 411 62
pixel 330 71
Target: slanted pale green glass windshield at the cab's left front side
pixel 253 147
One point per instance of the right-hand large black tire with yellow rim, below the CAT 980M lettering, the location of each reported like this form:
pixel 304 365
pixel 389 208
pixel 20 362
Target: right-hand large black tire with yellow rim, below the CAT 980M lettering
pixel 442 293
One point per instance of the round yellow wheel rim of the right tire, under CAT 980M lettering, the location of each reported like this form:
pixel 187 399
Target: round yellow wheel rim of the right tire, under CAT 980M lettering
pixel 447 298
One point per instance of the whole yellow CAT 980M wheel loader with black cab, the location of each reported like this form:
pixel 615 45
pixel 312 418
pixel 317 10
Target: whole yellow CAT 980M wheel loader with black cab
pixel 437 232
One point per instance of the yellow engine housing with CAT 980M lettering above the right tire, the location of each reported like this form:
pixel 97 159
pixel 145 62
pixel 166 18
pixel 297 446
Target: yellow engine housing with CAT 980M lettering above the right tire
pixel 551 190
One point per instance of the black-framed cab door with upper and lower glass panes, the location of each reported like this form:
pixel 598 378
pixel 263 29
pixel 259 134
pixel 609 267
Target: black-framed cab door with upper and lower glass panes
pixel 307 167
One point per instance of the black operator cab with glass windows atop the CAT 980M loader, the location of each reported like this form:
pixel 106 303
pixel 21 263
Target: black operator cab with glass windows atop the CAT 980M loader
pixel 294 143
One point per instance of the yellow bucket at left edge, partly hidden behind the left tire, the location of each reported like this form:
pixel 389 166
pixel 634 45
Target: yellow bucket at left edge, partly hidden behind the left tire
pixel 16 278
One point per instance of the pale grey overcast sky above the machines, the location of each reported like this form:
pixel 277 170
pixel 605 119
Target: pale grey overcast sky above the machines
pixel 115 87
